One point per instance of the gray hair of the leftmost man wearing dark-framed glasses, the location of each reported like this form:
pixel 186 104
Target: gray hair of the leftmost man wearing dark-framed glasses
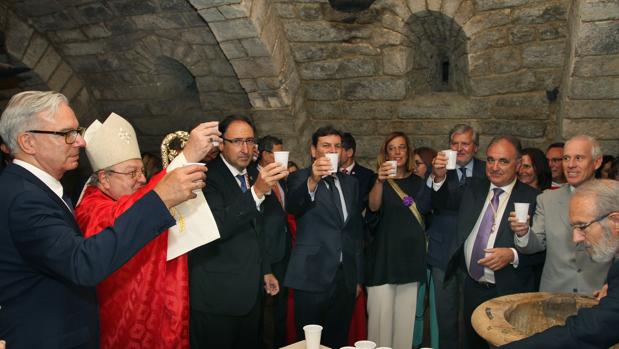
pixel 22 111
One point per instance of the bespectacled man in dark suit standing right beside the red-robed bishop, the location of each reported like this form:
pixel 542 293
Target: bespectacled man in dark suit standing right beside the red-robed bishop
pixel 226 276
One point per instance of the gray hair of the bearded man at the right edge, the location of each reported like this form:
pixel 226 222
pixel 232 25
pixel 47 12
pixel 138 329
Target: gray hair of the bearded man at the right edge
pixel 605 194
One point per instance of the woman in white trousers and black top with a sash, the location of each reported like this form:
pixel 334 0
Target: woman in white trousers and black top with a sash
pixel 396 254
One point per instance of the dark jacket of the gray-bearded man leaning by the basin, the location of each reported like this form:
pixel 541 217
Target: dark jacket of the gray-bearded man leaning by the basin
pixel 591 328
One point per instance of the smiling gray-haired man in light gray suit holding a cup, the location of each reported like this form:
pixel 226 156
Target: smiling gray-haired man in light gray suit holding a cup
pixel 568 268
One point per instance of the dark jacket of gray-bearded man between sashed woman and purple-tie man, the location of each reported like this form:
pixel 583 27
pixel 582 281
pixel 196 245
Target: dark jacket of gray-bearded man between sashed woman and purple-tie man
pixel 445 206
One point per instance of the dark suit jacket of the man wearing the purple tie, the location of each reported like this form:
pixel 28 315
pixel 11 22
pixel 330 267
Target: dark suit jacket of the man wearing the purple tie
pixel 509 279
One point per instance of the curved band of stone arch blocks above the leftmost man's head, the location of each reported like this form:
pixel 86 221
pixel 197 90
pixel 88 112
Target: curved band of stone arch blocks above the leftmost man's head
pixel 43 68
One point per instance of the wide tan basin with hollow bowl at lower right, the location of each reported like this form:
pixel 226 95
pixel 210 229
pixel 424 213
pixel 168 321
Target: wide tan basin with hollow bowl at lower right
pixel 505 319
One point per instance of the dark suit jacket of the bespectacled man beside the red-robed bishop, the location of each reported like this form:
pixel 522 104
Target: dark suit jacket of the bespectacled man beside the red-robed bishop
pixel 225 276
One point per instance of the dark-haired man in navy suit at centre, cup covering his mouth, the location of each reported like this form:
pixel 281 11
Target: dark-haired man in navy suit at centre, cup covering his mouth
pixel 325 268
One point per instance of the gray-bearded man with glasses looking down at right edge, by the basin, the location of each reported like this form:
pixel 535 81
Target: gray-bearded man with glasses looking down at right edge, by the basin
pixel 594 218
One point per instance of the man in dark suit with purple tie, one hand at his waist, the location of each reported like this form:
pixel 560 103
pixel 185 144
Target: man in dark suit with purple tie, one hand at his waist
pixel 484 244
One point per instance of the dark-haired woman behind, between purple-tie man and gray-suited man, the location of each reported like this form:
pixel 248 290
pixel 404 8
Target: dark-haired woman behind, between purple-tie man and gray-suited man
pixel 534 170
